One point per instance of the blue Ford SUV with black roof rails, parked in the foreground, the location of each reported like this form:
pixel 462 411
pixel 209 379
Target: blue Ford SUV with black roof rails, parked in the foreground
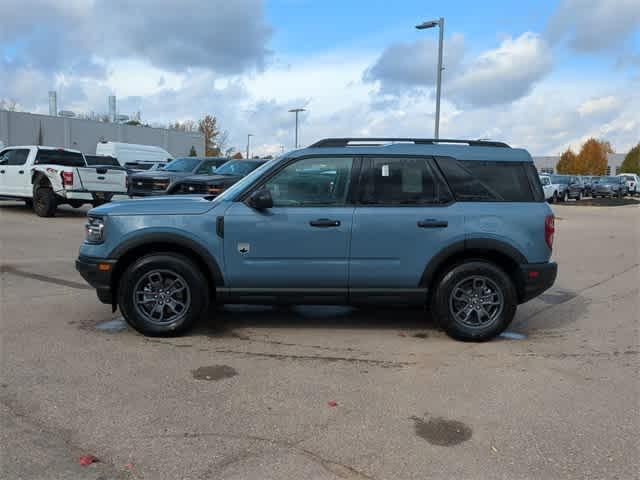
pixel 460 226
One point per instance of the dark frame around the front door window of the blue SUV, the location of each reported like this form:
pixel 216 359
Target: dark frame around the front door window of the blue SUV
pixel 354 178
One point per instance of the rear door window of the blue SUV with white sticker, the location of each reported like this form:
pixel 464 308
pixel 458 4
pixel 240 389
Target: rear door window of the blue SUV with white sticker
pixel 401 181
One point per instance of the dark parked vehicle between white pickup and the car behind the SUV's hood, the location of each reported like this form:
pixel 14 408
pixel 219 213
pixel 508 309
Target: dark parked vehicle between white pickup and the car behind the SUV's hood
pixel 163 181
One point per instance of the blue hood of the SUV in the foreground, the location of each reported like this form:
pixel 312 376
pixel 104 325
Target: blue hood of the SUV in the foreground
pixel 163 205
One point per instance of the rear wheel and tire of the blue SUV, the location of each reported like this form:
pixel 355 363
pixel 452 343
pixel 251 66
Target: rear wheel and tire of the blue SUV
pixel 474 276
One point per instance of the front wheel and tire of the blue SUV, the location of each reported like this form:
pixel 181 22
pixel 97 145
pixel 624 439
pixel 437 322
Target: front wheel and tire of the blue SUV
pixel 155 274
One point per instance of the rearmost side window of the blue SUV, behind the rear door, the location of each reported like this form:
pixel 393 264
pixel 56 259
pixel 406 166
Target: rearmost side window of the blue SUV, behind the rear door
pixel 488 181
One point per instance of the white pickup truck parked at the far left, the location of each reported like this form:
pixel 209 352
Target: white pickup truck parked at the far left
pixel 46 177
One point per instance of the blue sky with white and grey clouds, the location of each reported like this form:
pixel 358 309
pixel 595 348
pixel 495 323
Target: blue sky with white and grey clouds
pixel 539 74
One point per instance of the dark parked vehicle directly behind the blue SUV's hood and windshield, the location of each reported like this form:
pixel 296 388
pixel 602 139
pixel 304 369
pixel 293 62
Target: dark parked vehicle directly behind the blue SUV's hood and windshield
pixel 218 181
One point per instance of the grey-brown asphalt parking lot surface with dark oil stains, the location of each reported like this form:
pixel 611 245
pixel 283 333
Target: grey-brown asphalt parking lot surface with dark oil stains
pixel 321 392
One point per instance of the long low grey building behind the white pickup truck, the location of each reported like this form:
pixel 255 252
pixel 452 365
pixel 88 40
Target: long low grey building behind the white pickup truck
pixel 20 128
